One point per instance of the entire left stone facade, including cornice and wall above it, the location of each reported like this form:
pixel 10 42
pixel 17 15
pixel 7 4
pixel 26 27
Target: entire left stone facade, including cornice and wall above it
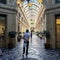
pixel 10 11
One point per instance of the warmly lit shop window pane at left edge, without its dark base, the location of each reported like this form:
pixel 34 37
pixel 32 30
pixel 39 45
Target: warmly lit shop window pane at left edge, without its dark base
pixel 2 25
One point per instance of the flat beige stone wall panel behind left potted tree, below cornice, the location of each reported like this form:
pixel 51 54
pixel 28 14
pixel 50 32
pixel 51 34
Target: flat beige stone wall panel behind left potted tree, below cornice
pixel 11 24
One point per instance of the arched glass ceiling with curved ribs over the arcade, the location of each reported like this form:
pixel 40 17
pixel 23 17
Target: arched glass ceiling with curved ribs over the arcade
pixel 31 10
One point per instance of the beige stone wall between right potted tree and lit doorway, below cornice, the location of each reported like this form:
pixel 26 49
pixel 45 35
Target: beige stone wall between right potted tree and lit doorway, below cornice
pixel 50 26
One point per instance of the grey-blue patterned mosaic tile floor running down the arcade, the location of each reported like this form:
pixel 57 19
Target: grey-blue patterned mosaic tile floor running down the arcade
pixel 36 52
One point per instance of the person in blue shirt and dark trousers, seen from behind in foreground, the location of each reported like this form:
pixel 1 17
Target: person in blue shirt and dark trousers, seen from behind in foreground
pixel 26 42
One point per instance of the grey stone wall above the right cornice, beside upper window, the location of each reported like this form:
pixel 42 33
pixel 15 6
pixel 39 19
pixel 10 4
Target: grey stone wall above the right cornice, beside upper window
pixel 49 4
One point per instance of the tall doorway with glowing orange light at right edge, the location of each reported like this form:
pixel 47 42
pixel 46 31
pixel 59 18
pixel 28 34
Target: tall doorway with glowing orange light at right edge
pixel 58 31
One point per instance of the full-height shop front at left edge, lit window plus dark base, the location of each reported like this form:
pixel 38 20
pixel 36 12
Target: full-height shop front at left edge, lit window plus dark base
pixel 2 29
